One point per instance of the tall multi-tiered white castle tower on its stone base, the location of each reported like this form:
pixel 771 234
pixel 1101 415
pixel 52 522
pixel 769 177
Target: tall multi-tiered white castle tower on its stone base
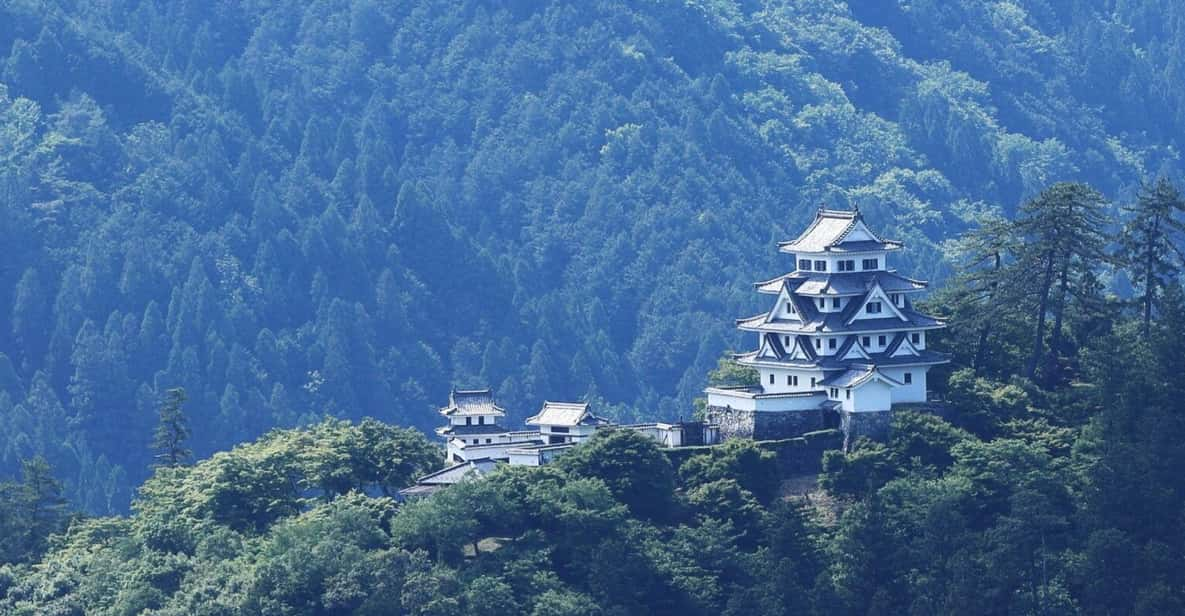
pixel 841 345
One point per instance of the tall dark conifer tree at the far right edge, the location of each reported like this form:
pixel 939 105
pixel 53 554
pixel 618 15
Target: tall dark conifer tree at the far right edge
pixel 1148 242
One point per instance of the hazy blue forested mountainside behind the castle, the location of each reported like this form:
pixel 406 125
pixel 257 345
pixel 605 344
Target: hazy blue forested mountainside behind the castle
pixel 297 209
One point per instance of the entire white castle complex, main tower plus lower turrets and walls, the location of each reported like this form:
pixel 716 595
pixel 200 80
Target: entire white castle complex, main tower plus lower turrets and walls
pixel 840 348
